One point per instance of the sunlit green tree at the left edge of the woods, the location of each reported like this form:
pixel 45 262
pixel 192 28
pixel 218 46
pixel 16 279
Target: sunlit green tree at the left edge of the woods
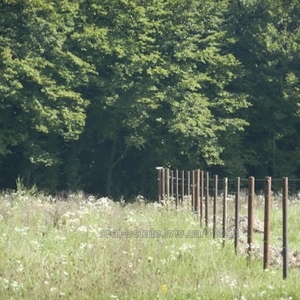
pixel 40 103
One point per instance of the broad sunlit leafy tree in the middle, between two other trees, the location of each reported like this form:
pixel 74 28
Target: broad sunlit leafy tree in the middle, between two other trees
pixel 163 83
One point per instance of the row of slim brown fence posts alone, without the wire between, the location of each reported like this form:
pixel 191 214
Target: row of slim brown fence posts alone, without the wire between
pixel 195 185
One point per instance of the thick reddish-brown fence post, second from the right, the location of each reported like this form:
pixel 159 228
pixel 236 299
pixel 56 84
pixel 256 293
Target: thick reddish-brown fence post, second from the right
pixel 268 185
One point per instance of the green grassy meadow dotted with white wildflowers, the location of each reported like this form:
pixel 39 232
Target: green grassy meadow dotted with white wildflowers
pixel 87 248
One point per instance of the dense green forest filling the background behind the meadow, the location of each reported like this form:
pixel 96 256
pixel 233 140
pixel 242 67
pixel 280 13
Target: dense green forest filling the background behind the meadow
pixel 95 94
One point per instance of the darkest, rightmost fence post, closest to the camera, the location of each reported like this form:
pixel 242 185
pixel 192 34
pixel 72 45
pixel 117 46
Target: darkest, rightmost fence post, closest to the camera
pixel 284 228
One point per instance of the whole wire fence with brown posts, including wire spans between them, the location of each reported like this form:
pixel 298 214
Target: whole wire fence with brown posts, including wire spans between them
pixel 204 193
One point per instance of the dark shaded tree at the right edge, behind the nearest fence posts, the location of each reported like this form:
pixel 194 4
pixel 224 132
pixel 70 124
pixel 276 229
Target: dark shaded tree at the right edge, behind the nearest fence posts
pixel 267 44
